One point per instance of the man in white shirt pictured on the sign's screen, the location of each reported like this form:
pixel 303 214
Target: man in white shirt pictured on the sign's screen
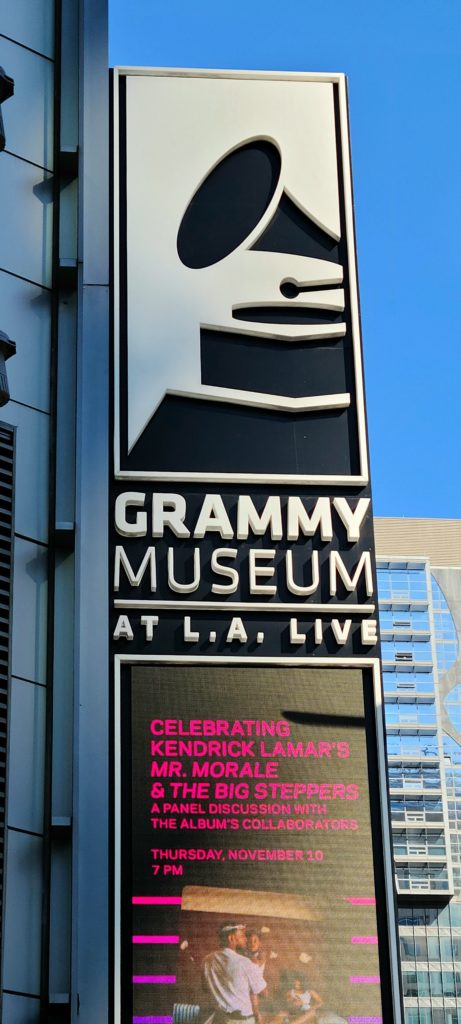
pixel 231 978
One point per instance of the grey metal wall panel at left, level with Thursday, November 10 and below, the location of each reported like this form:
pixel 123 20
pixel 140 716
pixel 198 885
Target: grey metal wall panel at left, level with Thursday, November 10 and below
pixel 23 914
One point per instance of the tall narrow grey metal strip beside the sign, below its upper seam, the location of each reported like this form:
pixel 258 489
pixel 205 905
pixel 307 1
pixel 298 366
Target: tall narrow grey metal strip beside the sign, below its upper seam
pixel 92 704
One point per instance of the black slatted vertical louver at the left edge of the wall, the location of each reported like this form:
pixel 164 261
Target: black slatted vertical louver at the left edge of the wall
pixel 7 535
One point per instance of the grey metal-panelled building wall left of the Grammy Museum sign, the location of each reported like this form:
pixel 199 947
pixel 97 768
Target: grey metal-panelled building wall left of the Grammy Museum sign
pixel 55 306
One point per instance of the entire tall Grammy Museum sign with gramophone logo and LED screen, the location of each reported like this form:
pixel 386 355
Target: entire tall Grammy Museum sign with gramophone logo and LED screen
pixel 243 602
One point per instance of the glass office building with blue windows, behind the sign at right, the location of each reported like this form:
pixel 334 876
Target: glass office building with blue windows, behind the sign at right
pixel 420 588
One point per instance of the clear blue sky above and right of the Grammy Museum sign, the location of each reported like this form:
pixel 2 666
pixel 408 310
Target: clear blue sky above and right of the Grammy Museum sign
pixel 404 66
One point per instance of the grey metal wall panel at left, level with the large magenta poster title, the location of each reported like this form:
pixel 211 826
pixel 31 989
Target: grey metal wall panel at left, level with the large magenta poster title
pixel 26 774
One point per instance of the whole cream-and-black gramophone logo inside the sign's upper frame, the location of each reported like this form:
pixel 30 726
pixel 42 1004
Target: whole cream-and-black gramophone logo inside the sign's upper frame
pixel 233 232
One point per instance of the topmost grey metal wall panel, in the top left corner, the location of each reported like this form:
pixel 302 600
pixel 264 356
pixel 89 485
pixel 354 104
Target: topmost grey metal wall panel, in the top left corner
pixel 30 24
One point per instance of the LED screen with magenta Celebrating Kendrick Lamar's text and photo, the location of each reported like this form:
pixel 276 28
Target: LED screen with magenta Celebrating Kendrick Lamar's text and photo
pixel 247 871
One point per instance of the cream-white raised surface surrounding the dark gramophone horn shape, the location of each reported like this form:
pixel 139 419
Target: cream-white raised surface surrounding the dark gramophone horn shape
pixel 178 133
